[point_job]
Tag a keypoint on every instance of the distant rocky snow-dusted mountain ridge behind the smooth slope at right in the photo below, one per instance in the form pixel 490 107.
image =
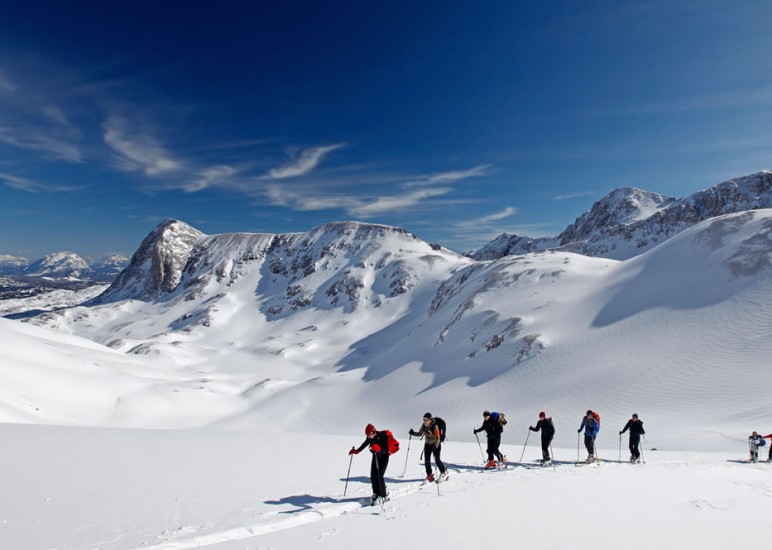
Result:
pixel 629 221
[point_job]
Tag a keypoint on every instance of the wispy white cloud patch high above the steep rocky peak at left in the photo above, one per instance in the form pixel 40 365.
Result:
pixel 138 152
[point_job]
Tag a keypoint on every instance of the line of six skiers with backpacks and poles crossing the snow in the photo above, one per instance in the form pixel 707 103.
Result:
pixel 432 430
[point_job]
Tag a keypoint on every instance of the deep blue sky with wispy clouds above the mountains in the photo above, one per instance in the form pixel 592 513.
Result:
pixel 455 120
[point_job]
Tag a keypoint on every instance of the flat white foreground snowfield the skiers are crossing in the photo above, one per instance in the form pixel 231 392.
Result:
pixel 76 488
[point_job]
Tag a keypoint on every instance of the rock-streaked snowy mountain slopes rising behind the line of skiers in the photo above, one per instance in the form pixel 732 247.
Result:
pixel 320 330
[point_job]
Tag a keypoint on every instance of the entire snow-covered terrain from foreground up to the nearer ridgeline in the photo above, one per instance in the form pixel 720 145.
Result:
pixel 219 414
